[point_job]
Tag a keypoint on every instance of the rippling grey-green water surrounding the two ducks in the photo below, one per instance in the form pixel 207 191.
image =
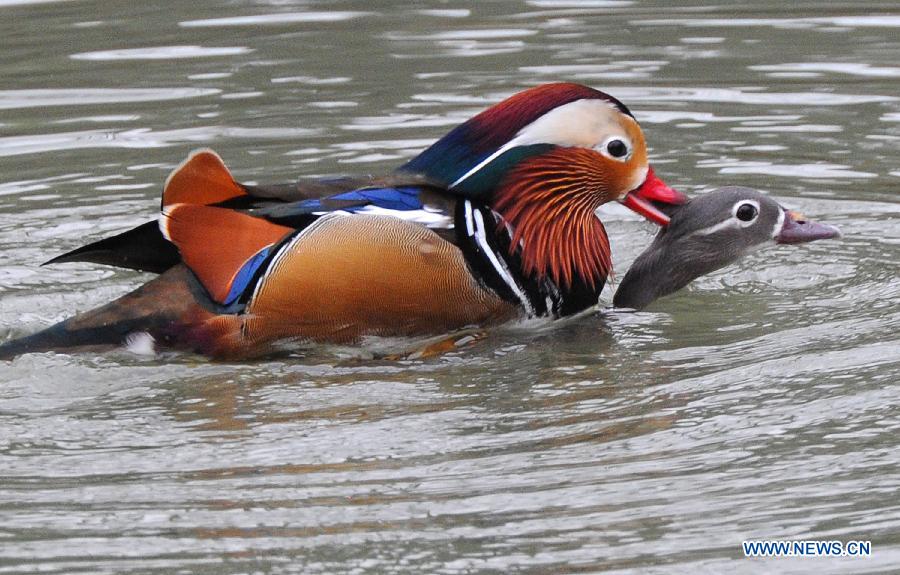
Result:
pixel 758 404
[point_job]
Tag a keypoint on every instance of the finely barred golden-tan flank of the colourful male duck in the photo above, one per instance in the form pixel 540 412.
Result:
pixel 347 276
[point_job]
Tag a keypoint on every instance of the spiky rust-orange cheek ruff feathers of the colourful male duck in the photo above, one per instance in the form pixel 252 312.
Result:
pixel 550 200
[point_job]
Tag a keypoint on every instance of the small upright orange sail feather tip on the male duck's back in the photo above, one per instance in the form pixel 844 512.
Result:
pixel 201 179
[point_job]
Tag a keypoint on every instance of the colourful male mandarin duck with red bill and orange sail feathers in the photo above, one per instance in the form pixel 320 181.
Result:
pixel 493 222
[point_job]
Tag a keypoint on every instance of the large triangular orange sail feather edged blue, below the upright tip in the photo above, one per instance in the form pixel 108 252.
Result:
pixel 216 242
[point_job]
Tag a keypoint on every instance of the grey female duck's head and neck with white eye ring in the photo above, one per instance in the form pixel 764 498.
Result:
pixel 707 233
